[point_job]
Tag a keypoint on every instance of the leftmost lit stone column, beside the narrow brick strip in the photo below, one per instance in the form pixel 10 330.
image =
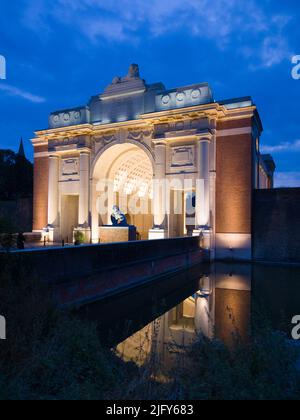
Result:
pixel 53 191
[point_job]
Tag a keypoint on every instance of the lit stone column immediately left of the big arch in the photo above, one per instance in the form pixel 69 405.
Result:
pixel 83 217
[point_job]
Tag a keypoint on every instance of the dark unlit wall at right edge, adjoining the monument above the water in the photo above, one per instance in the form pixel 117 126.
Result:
pixel 276 225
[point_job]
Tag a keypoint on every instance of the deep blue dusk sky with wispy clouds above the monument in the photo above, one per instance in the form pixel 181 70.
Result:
pixel 61 52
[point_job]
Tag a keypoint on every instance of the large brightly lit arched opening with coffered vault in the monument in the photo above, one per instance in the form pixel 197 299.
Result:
pixel 122 175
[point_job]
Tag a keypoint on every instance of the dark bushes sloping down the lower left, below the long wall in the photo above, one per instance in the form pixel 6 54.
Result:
pixel 49 354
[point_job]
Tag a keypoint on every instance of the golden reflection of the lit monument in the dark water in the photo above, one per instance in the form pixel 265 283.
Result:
pixel 221 309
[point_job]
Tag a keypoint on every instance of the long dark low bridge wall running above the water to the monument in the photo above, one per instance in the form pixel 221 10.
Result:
pixel 86 273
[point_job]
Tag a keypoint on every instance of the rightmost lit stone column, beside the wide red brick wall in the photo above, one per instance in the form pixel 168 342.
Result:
pixel 203 190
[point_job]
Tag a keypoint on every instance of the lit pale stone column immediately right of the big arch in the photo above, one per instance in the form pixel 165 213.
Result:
pixel 159 193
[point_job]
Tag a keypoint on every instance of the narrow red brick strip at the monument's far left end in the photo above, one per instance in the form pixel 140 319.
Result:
pixel 40 193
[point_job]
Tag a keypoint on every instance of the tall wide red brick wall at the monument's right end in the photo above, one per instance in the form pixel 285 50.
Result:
pixel 234 181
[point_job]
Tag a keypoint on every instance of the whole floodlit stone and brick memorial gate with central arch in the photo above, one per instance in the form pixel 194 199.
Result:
pixel 208 151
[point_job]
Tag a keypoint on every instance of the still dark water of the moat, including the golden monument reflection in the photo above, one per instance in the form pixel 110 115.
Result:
pixel 220 301
